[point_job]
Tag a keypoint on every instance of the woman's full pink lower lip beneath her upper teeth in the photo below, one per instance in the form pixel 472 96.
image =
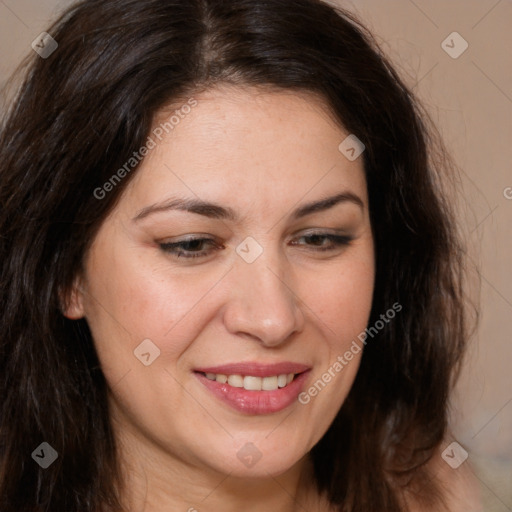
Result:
pixel 256 402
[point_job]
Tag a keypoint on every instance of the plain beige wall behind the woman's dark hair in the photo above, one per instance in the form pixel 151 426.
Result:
pixel 470 98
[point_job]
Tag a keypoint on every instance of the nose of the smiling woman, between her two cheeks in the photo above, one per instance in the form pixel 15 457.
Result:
pixel 263 304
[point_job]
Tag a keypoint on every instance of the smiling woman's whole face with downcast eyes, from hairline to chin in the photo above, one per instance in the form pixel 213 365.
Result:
pixel 267 292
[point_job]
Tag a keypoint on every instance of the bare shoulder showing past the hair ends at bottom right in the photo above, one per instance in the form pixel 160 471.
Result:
pixel 459 485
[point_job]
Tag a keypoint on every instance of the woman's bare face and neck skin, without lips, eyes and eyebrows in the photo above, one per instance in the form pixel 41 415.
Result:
pixel 263 154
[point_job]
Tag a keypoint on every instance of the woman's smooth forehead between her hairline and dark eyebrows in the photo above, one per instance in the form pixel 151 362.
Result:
pixel 248 145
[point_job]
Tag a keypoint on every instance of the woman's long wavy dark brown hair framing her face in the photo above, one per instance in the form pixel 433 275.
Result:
pixel 82 112
